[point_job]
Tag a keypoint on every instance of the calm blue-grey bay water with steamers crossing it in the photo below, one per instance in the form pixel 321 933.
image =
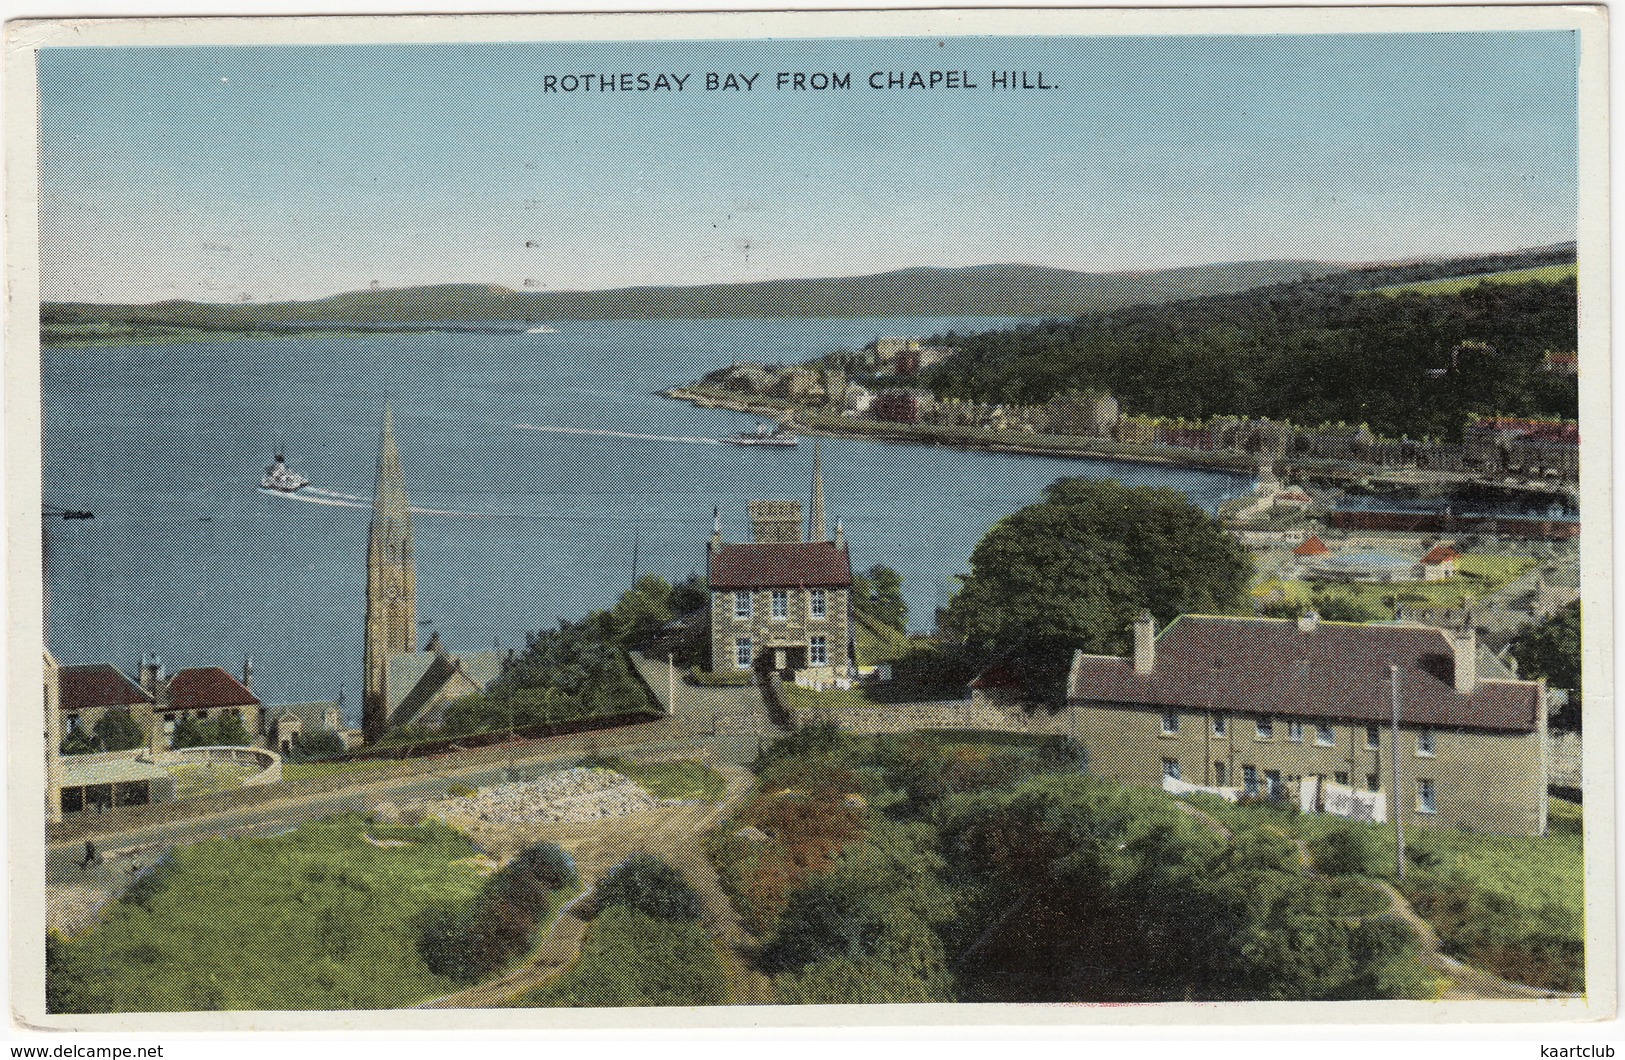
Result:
pixel 519 528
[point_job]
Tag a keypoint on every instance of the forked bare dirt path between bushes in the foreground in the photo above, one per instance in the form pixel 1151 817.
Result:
pixel 599 846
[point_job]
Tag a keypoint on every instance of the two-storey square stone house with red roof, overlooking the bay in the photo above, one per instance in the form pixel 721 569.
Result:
pixel 782 606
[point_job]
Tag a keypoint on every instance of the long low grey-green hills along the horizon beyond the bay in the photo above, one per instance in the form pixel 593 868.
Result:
pixel 971 292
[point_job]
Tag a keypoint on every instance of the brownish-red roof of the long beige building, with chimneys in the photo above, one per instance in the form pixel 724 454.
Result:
pixel 1338 671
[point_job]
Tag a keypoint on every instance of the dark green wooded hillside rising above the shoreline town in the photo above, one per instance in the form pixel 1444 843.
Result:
pixel 1319 350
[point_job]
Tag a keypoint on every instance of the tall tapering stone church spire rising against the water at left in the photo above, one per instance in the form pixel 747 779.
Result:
pixel 392 584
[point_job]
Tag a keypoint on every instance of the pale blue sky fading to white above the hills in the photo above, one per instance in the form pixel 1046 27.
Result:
pixel 280 173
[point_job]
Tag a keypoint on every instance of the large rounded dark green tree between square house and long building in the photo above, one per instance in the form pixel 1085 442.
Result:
pixel 1075 571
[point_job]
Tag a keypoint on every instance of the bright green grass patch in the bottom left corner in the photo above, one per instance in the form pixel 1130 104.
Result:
pixel 316 919
